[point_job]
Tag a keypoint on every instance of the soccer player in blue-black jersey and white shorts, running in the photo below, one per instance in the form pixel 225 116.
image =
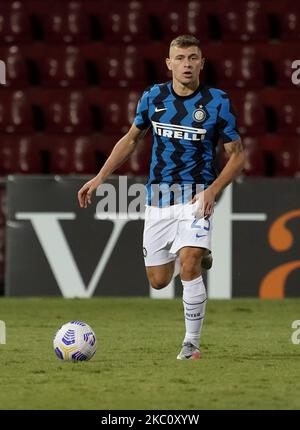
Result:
pixel 187 119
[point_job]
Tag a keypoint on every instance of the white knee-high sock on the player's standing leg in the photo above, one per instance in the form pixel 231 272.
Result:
pixel 194 302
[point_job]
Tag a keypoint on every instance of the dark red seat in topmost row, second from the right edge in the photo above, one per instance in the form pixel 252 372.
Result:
pixel 244 21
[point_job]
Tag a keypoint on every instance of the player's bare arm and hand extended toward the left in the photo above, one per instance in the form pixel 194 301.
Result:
pixel 120 153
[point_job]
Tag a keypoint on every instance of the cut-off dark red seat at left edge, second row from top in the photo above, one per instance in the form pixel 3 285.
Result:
pixel 16 69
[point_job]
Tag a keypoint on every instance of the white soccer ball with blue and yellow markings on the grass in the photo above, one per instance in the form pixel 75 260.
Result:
pixel 75 341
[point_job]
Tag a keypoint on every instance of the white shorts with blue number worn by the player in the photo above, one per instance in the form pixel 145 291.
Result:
pixel 169 229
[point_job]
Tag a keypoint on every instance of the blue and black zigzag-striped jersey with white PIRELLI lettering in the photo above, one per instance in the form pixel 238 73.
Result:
pixel 185 131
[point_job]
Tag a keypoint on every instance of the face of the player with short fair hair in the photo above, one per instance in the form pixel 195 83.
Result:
pixel 185 64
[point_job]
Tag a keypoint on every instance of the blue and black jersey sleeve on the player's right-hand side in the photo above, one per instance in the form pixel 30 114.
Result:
pixel 227 121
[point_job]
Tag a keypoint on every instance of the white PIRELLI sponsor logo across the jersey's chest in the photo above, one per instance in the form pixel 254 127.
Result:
pixel 178 131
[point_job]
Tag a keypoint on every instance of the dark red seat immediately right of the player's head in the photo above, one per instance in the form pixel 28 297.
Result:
pixel 237 66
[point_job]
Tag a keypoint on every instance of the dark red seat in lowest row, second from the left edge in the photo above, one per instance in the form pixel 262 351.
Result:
pixel 73 155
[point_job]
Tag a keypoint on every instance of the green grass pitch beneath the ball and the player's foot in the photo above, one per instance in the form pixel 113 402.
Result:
pixel 249 360
